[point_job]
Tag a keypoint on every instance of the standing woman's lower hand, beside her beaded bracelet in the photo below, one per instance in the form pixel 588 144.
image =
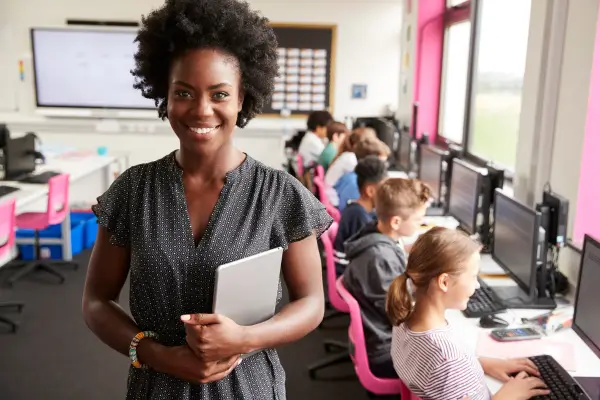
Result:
pixel 182 363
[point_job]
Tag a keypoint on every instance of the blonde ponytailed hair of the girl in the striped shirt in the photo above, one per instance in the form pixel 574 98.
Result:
pixel 437 251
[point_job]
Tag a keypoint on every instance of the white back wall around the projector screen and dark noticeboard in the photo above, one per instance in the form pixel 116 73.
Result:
pixel 368 42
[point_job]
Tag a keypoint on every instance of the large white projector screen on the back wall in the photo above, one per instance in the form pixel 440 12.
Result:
pixel 85 68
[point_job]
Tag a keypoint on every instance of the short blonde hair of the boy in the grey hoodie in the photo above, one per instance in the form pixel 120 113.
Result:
pixel 399 196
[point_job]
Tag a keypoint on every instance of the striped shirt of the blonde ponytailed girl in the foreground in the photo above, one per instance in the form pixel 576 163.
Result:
pixel 436 365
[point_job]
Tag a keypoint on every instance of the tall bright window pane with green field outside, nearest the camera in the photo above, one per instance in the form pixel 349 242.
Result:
pixel 498 80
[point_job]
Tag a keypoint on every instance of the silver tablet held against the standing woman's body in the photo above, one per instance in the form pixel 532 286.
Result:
pixel 246 289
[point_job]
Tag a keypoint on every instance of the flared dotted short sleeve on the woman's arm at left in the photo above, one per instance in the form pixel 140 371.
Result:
pixel 112 210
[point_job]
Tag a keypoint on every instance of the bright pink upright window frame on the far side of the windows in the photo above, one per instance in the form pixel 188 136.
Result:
pixel 432 20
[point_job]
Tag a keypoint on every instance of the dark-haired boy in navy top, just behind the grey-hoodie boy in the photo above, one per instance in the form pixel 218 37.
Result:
pixel 370 172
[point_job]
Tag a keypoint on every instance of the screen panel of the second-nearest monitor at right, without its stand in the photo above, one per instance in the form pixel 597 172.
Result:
pixel 516 232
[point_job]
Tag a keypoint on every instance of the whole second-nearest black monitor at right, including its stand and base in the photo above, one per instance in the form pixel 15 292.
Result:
pixel 519 246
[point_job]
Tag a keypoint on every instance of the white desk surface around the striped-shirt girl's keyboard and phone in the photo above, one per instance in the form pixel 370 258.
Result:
pixel 587 362
